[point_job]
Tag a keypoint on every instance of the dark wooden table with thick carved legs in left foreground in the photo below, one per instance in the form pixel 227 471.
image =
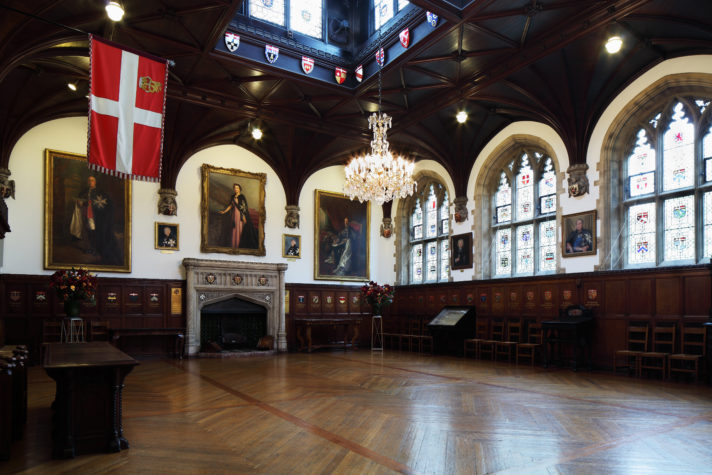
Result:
pixel 90 380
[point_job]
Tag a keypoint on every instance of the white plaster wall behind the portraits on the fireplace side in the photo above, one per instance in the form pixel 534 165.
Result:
pixel 24 245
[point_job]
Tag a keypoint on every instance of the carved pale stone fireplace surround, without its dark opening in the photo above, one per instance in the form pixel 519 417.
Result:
pixel 209 282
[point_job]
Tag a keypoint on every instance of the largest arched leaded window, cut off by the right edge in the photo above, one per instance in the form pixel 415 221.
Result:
pixel 666 207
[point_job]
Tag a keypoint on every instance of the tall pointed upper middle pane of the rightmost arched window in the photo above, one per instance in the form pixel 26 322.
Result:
pixel 679 152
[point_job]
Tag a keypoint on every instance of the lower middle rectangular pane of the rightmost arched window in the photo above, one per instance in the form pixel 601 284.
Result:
pixel 679 228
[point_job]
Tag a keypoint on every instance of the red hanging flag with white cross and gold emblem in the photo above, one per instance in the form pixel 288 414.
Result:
pixel 127 94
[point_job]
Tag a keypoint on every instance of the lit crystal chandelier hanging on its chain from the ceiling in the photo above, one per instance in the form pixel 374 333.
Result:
pixel 379 176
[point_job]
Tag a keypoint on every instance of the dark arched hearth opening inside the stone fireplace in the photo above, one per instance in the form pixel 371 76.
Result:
pixel 232 325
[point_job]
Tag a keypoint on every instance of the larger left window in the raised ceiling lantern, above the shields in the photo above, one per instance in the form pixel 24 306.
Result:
pixel 303 16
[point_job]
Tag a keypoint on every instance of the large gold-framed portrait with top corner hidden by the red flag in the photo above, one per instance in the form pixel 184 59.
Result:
pixel 87 216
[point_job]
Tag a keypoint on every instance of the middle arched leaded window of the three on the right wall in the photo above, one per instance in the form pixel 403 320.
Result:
pixel 524 217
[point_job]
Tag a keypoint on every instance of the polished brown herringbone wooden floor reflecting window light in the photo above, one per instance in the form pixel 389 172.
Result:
pixel 361 412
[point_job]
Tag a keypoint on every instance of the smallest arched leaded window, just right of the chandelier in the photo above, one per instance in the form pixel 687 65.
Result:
pixel 429 226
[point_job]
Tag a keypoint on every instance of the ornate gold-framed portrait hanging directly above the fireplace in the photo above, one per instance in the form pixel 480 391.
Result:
pixel 233 211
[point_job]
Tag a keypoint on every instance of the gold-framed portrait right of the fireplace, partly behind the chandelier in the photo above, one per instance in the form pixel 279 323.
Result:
pixel 341 237
